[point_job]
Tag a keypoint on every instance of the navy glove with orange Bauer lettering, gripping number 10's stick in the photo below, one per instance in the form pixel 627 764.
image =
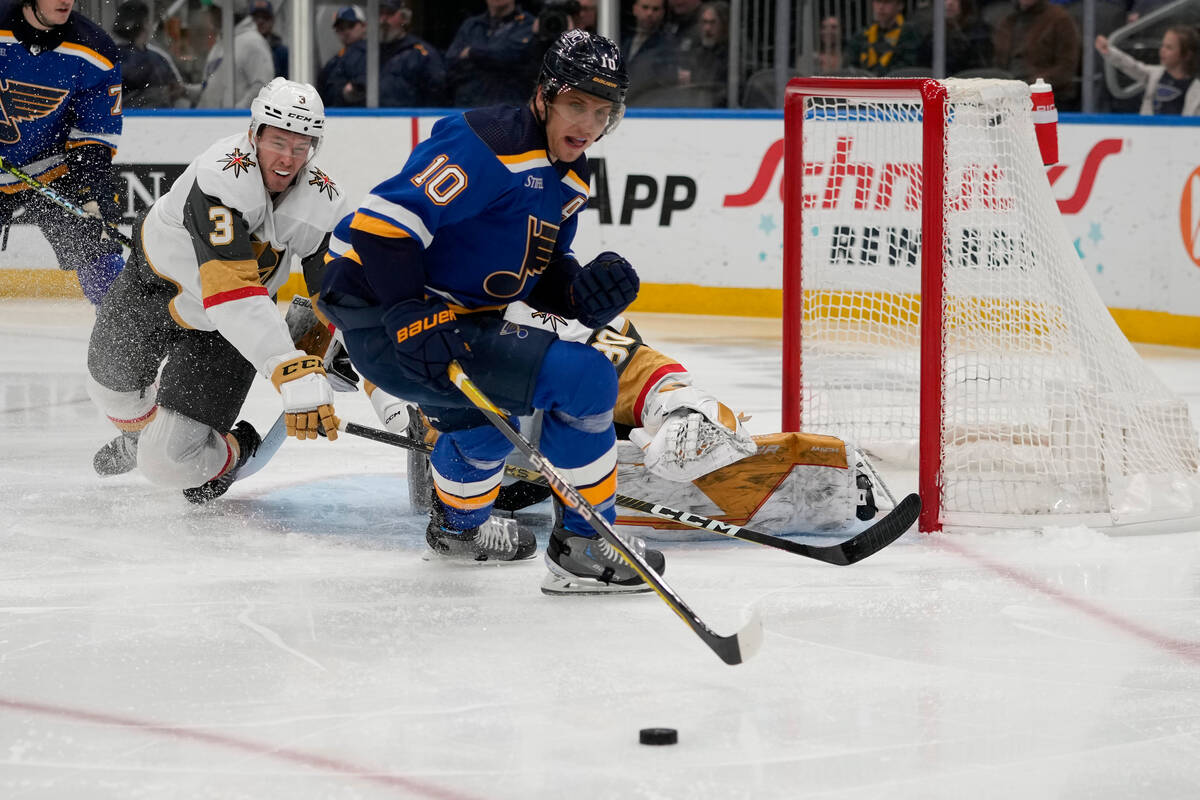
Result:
pixel 427 339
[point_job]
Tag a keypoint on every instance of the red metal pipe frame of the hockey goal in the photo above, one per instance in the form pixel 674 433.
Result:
pixel 933 98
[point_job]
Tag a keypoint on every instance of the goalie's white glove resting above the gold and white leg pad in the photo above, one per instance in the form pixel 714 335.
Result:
pixel 688 434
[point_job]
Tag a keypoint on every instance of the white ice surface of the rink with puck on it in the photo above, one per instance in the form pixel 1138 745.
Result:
pixel 289 641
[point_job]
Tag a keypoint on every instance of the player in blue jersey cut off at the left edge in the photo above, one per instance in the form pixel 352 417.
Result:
pixel 61 122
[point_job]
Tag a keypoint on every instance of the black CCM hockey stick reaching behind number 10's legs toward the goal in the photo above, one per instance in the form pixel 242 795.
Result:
pixel 883 532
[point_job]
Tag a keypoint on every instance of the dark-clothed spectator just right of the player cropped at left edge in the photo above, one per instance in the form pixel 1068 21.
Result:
pixel 149 79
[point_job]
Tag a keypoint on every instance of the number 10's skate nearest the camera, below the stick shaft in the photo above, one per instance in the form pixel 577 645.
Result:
pixel 592 567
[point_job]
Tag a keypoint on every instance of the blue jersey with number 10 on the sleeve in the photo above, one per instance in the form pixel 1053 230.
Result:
pixel 476 218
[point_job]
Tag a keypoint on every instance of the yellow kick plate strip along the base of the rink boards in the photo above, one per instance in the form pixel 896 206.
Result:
pixel 1148 327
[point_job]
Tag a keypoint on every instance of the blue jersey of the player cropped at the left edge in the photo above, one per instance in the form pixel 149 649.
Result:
pixel 61 99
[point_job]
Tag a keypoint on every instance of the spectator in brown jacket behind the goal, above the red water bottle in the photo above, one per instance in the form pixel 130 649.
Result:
pixel 1040 40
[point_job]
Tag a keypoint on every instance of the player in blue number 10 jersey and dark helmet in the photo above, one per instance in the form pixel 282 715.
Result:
pixel 484 214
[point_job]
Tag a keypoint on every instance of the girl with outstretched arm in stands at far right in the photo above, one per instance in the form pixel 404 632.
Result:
pixel 1171 86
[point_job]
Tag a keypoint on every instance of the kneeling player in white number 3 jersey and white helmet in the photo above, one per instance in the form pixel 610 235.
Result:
pixel 197 302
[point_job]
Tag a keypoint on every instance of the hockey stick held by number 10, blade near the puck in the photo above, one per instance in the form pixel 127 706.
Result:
pixel 731 649
